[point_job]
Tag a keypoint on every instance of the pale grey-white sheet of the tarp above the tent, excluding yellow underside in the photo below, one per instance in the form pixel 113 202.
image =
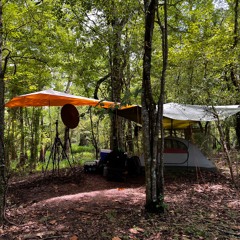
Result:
pixel 198 112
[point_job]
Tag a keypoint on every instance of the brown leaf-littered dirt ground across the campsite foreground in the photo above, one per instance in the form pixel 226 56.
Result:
pixel 79 206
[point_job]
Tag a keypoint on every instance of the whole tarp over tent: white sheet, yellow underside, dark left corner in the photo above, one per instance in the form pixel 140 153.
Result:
pixel 177 116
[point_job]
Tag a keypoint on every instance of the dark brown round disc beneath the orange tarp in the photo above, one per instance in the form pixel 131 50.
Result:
pixel 70 116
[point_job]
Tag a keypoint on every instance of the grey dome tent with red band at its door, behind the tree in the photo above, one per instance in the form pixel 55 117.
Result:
pixel 179 152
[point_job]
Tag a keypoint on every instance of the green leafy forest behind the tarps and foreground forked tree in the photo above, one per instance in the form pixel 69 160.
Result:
pixel 96 49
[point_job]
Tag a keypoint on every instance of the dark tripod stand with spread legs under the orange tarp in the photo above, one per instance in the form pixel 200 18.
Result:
pixel 57 153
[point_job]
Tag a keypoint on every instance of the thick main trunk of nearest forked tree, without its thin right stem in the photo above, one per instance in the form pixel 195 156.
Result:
pixel 149 117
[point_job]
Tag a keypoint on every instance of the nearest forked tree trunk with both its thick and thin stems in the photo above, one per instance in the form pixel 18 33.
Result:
pixel 151 116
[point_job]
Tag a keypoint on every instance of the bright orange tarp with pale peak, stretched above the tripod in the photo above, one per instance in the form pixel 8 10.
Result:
pixel 55 98
